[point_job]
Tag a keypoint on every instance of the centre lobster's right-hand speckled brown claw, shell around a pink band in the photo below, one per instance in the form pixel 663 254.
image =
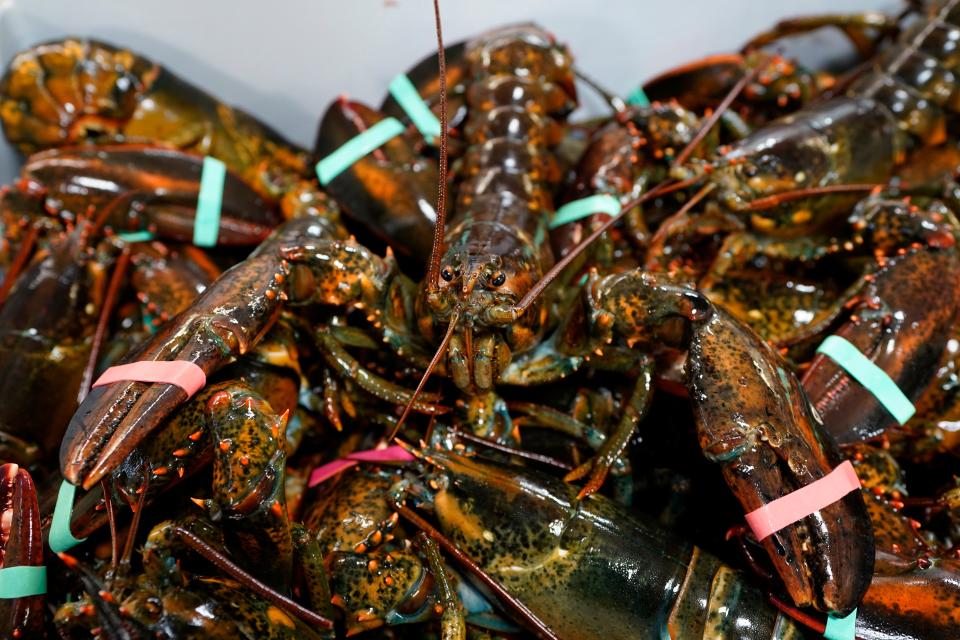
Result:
pixel 755 420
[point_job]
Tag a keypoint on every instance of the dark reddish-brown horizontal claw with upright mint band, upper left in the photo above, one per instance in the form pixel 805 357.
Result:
pixel 163 182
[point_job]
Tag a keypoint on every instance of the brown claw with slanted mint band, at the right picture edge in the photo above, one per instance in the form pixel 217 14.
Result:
pixel 903 327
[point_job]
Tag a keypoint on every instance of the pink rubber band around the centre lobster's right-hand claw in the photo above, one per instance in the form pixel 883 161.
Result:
pixel 799 504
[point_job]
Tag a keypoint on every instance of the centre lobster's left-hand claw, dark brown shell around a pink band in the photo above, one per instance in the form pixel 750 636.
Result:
pixel 223 323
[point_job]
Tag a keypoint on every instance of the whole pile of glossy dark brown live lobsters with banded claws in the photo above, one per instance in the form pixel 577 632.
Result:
pixel 327 436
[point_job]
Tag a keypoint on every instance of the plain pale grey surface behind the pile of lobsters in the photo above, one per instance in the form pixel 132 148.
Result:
pixel 285 60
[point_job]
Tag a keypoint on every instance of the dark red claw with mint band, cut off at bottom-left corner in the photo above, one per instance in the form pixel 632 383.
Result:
pixel 21 545
